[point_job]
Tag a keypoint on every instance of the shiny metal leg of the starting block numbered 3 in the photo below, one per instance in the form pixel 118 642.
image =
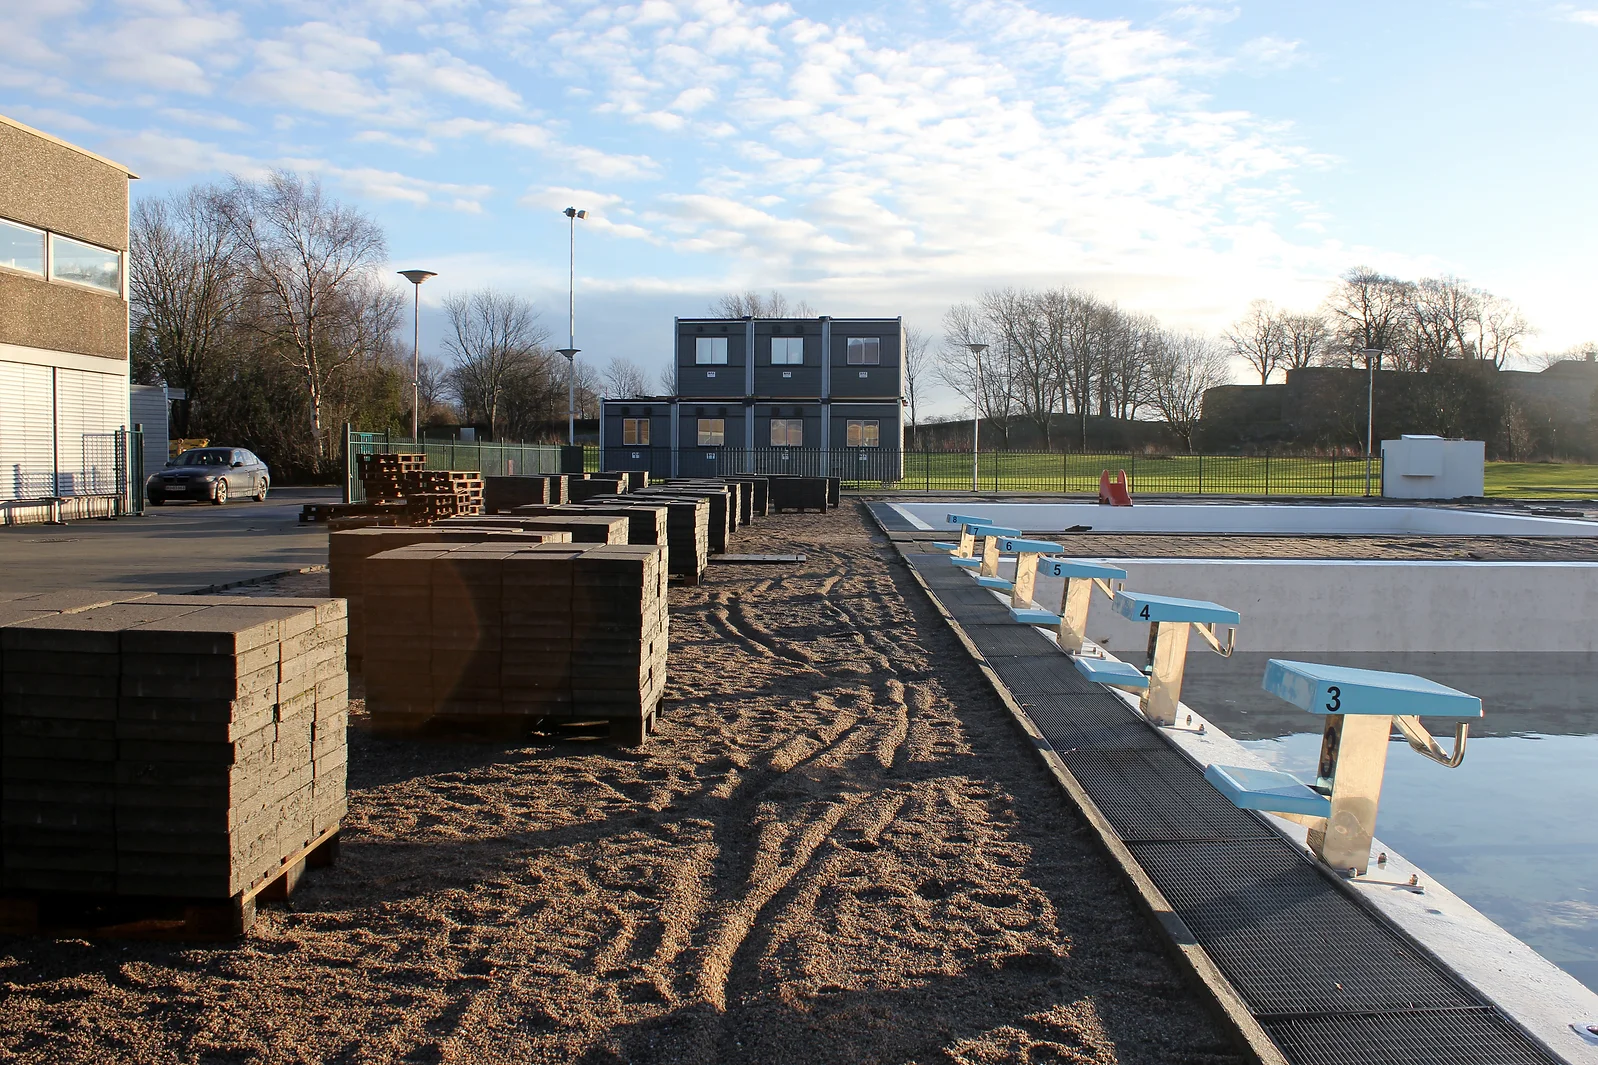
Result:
pixel 1353 762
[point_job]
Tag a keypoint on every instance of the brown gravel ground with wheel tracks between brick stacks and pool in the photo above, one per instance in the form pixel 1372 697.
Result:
pixel 837 850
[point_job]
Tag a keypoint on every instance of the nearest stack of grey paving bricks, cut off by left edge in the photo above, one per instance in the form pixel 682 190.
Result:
pixel 178 748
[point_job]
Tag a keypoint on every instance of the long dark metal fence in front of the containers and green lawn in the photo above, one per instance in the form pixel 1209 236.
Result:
pixel 1017 471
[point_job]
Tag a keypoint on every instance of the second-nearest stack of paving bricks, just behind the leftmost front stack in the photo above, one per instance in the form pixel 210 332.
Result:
pixel 483 632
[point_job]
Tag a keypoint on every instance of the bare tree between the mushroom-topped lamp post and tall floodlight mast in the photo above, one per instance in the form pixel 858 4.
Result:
pixel 495 340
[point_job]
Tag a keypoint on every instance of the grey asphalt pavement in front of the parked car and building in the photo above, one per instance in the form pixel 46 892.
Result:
pixel 178 548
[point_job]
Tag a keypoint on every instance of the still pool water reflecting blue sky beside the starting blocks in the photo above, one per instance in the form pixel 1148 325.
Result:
pixel 1514 831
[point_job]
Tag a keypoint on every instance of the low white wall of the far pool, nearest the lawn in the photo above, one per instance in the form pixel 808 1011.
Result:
pixel 1250 519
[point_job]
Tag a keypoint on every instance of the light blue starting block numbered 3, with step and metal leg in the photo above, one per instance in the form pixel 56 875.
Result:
pixel 1361 709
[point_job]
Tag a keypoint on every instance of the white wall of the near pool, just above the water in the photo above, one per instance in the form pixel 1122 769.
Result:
pixel 1364 605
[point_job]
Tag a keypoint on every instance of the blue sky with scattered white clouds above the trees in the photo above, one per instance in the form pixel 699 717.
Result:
pixel 873 159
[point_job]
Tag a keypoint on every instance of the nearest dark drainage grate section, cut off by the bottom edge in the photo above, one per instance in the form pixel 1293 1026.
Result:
pixel 1466 1037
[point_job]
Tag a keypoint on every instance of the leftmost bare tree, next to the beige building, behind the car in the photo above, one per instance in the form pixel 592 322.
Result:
pixel 185 287
